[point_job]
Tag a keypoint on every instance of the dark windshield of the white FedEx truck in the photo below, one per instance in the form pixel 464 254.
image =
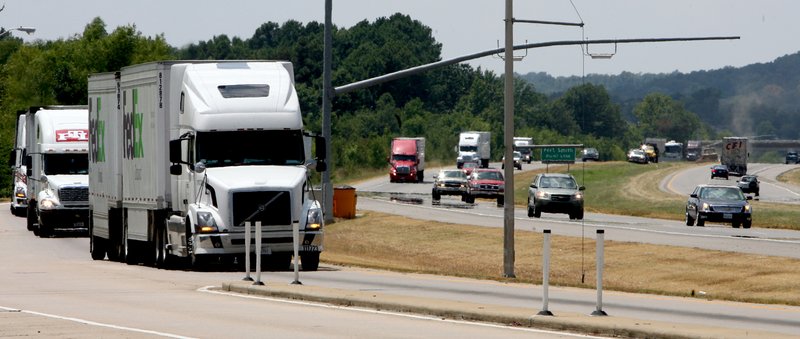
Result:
pixel 237 148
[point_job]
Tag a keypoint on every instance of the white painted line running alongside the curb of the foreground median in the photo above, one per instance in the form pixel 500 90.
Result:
pixel 207 289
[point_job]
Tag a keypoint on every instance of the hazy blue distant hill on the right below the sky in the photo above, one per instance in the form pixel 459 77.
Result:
pixel 728 99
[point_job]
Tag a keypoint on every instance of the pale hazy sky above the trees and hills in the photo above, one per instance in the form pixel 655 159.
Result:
pixel 767 29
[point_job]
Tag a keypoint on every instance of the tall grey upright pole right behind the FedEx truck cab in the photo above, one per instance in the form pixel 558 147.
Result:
pixel 327 96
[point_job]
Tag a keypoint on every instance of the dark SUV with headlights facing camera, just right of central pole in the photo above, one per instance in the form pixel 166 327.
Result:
pixel 555 193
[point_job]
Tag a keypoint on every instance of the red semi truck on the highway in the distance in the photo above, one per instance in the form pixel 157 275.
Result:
pixel 407 160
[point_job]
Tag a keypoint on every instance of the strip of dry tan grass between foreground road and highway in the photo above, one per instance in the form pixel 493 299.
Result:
pixel 403 244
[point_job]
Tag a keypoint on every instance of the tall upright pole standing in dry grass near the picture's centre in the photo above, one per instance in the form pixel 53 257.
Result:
pixel 508 142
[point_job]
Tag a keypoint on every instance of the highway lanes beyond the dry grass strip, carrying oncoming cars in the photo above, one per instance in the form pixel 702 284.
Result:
pixel 379 194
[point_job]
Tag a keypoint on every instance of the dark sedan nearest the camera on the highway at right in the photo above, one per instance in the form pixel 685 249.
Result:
pixel 717 203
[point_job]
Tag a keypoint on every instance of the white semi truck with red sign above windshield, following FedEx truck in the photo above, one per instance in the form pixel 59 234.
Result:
pixel 57 169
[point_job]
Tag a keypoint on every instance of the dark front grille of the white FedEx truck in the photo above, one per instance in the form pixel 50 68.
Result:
pixel 253 206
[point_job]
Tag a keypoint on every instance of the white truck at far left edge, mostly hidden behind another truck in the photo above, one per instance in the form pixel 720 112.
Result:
pixel 19 175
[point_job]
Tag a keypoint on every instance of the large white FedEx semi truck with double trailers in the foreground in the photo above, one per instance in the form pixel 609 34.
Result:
pixel 187 155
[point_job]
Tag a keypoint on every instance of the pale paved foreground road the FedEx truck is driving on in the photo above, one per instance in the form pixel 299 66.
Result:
pixel 55 279
